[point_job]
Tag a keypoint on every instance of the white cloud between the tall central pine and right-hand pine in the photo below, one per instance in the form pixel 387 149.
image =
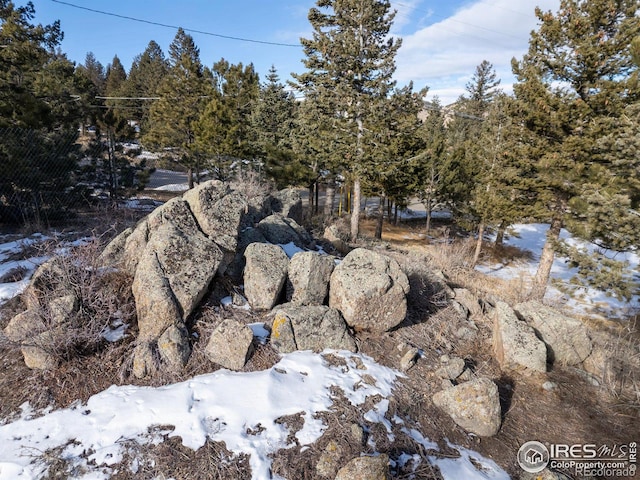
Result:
pixel 443 56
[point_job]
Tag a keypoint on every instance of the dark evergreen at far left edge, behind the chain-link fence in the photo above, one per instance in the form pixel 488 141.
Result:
pixel 39 113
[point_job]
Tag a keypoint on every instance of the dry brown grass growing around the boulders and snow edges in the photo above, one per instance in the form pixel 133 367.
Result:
pixel 575 412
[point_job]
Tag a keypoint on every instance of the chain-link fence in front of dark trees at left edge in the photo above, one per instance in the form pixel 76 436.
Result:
pixel 48 178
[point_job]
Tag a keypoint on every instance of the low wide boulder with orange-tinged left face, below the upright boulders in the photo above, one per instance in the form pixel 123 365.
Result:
pixel 297 327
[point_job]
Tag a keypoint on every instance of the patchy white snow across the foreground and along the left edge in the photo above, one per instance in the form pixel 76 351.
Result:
pixel 239 409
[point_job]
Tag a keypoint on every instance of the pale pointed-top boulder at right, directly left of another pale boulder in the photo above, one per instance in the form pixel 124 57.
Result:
pixel 515 343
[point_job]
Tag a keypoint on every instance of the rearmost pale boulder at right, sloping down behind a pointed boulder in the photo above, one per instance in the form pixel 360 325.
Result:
pixel 567 339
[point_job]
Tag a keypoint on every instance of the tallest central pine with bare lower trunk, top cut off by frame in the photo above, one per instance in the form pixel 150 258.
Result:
pixel 350 60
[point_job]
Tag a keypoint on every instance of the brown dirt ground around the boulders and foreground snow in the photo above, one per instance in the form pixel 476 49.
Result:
pixel 573 412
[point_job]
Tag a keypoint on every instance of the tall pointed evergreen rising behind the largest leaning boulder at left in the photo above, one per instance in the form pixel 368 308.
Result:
pixel 183 95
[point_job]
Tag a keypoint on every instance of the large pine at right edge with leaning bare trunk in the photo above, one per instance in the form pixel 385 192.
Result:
pixel 574 84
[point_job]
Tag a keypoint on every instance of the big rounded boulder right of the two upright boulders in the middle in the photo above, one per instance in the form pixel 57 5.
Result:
pixel 370 290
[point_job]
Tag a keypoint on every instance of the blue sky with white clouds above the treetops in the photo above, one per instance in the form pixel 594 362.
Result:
pixel 443 41
